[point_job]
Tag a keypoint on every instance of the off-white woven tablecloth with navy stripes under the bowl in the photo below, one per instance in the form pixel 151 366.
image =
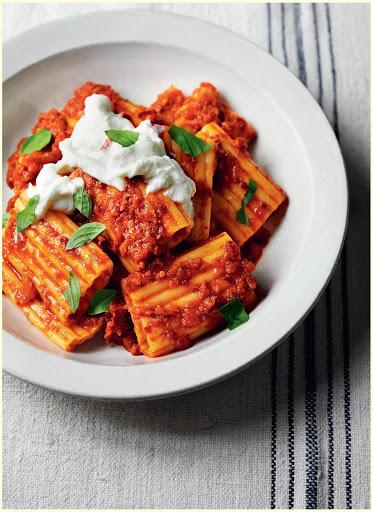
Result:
pixel 290 432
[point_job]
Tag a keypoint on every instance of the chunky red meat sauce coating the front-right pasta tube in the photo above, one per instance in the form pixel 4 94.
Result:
pixel 232 279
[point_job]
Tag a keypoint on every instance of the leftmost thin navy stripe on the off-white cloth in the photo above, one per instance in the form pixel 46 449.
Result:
pixel 274 353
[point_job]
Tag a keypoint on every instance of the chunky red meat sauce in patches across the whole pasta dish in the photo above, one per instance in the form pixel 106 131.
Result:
pixel 137 223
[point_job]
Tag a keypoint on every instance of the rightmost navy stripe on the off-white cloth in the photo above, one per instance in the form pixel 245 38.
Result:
pixel 345 301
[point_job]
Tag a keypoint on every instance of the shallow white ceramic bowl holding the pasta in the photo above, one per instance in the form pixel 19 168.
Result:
pixel 142 54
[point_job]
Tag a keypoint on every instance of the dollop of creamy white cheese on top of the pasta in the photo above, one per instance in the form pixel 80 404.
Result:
pixel 90 149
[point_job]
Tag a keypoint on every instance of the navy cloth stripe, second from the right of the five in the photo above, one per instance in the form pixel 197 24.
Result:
pixel 328 304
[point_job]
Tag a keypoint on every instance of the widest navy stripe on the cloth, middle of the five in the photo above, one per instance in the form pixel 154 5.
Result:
pixel 309 343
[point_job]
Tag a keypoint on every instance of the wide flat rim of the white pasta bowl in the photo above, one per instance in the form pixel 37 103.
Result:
pixel 213 363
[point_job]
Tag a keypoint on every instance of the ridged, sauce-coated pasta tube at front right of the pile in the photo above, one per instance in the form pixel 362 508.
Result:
pixel 172 307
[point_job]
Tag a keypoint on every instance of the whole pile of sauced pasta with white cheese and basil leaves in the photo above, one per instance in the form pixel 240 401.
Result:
pixel 143 222
